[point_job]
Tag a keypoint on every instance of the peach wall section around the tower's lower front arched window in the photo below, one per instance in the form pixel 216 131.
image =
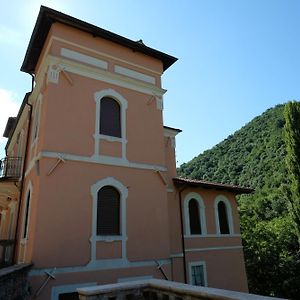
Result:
pixel 66 196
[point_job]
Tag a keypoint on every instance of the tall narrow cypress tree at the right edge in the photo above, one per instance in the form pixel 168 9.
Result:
pixel 292 139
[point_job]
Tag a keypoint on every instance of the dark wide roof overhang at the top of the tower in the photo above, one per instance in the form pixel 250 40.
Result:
pixel 48 16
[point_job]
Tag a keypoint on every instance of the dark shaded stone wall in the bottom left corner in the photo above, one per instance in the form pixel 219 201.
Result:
pixel 13 282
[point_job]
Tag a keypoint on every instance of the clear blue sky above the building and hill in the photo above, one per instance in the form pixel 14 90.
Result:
pixel 236 58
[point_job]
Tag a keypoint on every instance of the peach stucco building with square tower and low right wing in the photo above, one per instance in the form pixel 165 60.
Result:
pixel 88 190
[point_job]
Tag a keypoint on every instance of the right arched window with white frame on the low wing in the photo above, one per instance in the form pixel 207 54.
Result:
pixel 223 213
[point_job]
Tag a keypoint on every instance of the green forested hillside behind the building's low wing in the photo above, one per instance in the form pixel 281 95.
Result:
pixel 255 156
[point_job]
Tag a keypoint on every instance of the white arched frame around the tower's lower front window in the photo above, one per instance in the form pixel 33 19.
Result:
pixel 122 189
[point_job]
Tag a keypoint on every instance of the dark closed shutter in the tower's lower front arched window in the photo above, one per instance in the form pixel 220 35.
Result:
pixel 108 211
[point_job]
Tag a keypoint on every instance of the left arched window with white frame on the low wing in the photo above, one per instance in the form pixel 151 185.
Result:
pixel 194 214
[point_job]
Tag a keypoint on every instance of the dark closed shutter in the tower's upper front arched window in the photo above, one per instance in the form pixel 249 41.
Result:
pixel 110 119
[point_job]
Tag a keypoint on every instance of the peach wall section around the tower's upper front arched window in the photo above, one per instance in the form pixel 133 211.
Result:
pixel 69 128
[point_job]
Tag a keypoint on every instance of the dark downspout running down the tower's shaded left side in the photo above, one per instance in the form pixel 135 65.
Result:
pixel 23 171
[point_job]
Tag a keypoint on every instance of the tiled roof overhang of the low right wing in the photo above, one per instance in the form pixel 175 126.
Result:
pixel 180 182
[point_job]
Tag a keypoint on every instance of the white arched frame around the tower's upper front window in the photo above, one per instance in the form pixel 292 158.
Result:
pixel 98 96
